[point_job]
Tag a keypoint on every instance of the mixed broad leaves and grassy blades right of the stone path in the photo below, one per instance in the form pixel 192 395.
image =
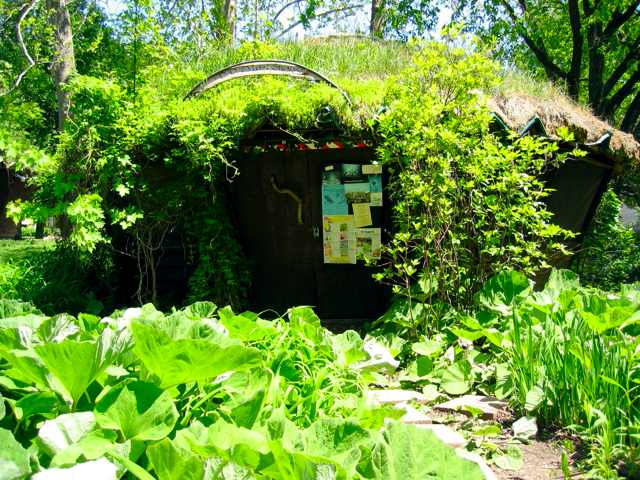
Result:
pixel 567 355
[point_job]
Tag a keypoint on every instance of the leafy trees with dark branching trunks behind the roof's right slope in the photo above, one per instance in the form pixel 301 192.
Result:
pixel 590 46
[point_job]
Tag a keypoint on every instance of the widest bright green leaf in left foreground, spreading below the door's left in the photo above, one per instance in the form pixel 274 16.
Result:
pixel 188 360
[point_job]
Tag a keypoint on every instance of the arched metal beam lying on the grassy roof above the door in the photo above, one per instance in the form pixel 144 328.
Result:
pixel 262 67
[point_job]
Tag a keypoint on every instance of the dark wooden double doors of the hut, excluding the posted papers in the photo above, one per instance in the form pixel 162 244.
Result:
pixel 286 251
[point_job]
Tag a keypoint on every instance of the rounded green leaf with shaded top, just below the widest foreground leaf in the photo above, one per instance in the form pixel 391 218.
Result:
pixel 140 410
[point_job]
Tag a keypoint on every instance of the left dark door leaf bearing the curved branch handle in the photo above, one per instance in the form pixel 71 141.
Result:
pixel 278 243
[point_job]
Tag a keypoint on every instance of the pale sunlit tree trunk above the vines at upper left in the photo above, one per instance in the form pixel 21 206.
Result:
pixel 64 61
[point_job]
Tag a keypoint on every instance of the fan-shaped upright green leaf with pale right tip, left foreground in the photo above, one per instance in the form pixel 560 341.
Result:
pixel 63 360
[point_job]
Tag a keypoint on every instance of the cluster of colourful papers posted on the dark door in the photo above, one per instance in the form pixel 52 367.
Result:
pixel 351 212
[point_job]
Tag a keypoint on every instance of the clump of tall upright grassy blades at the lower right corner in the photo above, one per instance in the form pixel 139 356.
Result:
pixel 574 356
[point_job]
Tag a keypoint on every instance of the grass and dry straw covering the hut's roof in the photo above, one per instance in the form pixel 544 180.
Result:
pixel 361 67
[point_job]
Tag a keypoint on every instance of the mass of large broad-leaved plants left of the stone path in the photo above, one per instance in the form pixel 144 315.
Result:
pixel 199 393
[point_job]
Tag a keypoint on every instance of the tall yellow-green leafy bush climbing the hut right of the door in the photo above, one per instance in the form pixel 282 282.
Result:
pixel 466 203
